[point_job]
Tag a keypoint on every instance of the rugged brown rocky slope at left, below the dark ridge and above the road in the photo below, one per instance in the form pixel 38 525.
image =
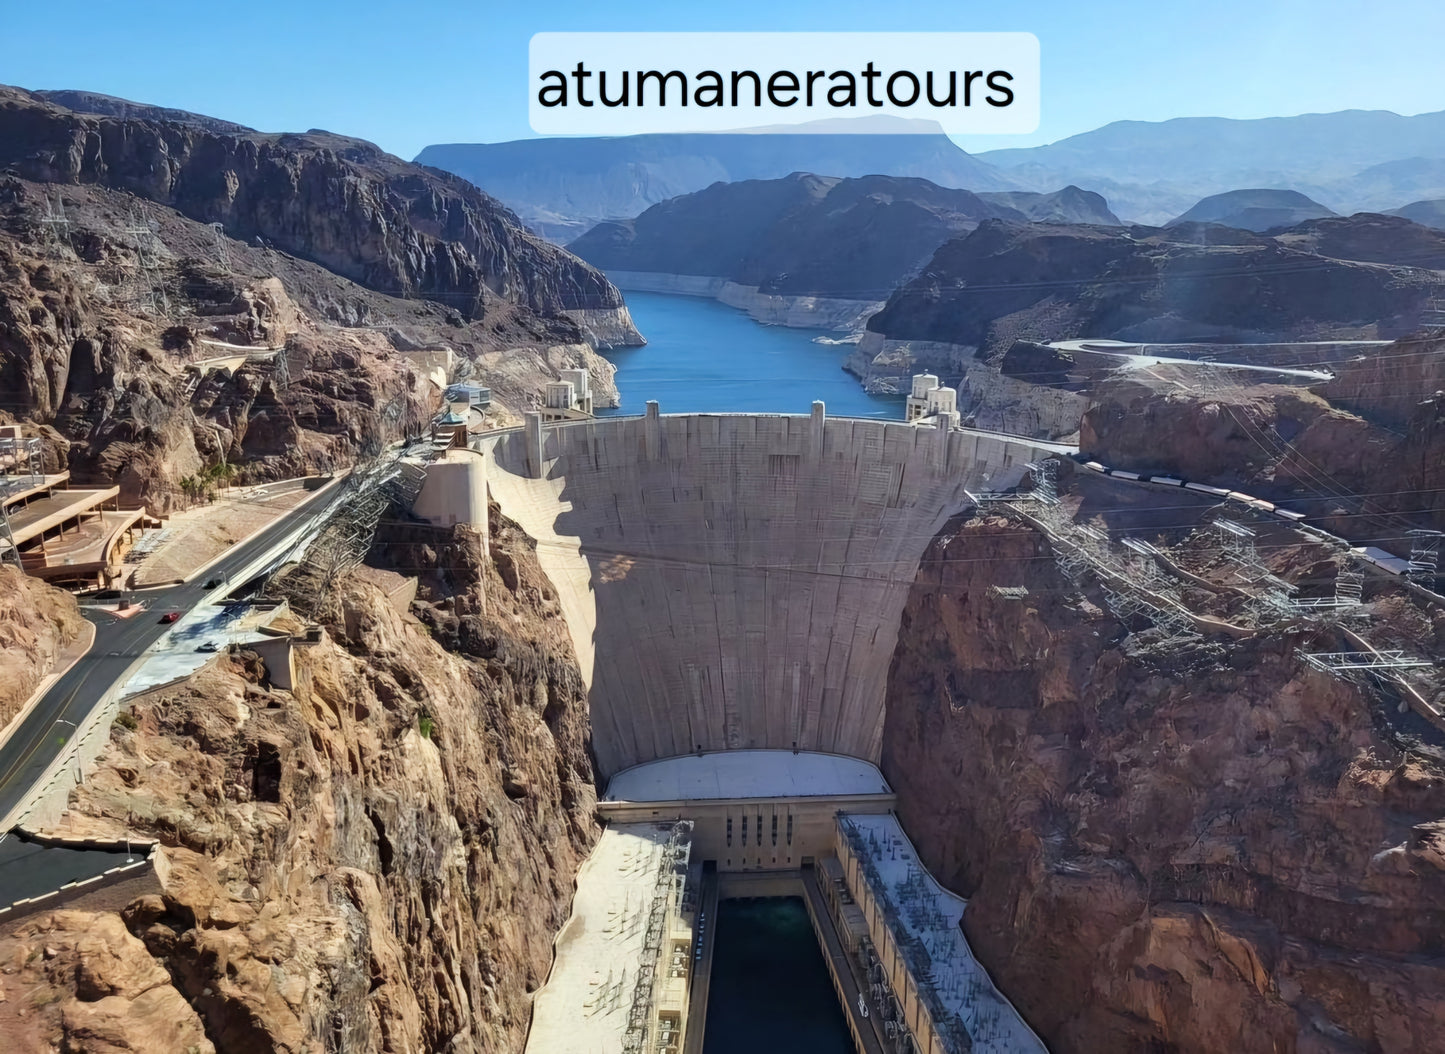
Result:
pixel 112 307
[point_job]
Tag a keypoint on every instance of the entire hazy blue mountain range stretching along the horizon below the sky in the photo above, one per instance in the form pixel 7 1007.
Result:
pixel 1149 171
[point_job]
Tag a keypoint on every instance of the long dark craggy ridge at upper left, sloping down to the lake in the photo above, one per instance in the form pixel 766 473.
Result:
pixel 342 203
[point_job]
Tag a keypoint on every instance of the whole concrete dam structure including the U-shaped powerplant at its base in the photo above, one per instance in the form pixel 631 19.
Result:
pixel 733 588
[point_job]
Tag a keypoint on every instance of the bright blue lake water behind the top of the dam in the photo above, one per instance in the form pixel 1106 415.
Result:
pixel 704 356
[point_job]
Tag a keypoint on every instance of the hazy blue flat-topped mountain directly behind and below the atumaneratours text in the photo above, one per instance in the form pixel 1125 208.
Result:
pixel 563 187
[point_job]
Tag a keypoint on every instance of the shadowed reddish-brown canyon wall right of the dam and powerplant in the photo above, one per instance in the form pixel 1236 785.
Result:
pixel 1165 849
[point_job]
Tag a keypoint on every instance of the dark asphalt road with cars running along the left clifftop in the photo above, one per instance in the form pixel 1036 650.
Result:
pixel 119 643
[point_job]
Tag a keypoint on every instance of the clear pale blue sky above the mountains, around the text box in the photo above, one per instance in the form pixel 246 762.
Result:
pixel 405 76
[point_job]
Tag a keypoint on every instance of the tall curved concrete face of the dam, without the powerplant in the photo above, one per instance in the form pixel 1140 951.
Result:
pixel 736 582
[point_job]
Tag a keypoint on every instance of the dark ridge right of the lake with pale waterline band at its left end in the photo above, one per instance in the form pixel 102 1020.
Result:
pixel 1006 283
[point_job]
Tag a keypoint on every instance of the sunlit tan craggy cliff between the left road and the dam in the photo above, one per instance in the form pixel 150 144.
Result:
pixel 375 862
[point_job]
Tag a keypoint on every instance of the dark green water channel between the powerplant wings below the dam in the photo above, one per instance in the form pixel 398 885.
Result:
pixel 771 988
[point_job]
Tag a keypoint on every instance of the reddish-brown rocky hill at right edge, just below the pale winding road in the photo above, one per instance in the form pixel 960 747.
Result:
pixel 1358 450
